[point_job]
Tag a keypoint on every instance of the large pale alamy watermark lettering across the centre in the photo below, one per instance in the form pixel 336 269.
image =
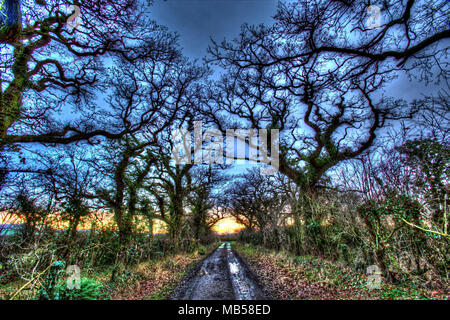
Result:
pixel 241 145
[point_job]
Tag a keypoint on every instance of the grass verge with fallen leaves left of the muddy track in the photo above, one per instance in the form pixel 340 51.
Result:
pixel 150 280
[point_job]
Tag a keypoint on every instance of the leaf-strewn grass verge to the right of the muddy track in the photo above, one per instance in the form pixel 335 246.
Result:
pixel 290 277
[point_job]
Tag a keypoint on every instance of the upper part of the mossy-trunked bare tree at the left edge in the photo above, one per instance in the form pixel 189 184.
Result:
pixel 49 68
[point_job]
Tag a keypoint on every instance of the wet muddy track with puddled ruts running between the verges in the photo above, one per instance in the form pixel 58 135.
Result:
pixel 223 275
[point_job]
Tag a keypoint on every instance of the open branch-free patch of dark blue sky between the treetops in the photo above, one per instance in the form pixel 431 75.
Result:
pixel 198 20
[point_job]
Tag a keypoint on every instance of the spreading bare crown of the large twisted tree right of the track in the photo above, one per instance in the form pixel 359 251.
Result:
pixel 317 75
